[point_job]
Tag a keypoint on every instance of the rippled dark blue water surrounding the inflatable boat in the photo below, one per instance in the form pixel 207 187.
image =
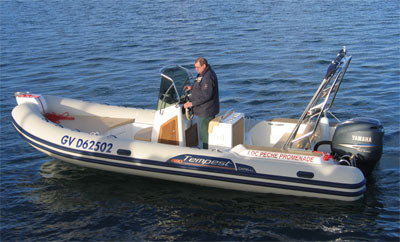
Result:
pixel 270 57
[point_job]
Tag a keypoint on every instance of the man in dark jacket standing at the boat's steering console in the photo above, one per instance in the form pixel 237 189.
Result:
pixel 205 97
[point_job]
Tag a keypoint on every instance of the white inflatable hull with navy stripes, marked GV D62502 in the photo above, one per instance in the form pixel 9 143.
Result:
pixel 107 143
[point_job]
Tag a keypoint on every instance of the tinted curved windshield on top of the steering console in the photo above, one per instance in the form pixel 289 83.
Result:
pixel 173 81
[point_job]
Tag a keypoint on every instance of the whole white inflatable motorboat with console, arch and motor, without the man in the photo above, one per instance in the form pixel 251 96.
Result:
pixel 314 156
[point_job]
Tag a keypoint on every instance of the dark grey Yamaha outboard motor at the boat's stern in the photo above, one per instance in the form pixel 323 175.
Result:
pixel 358 142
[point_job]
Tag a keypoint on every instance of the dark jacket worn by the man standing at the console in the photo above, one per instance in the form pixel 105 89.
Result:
pixel 205 97
